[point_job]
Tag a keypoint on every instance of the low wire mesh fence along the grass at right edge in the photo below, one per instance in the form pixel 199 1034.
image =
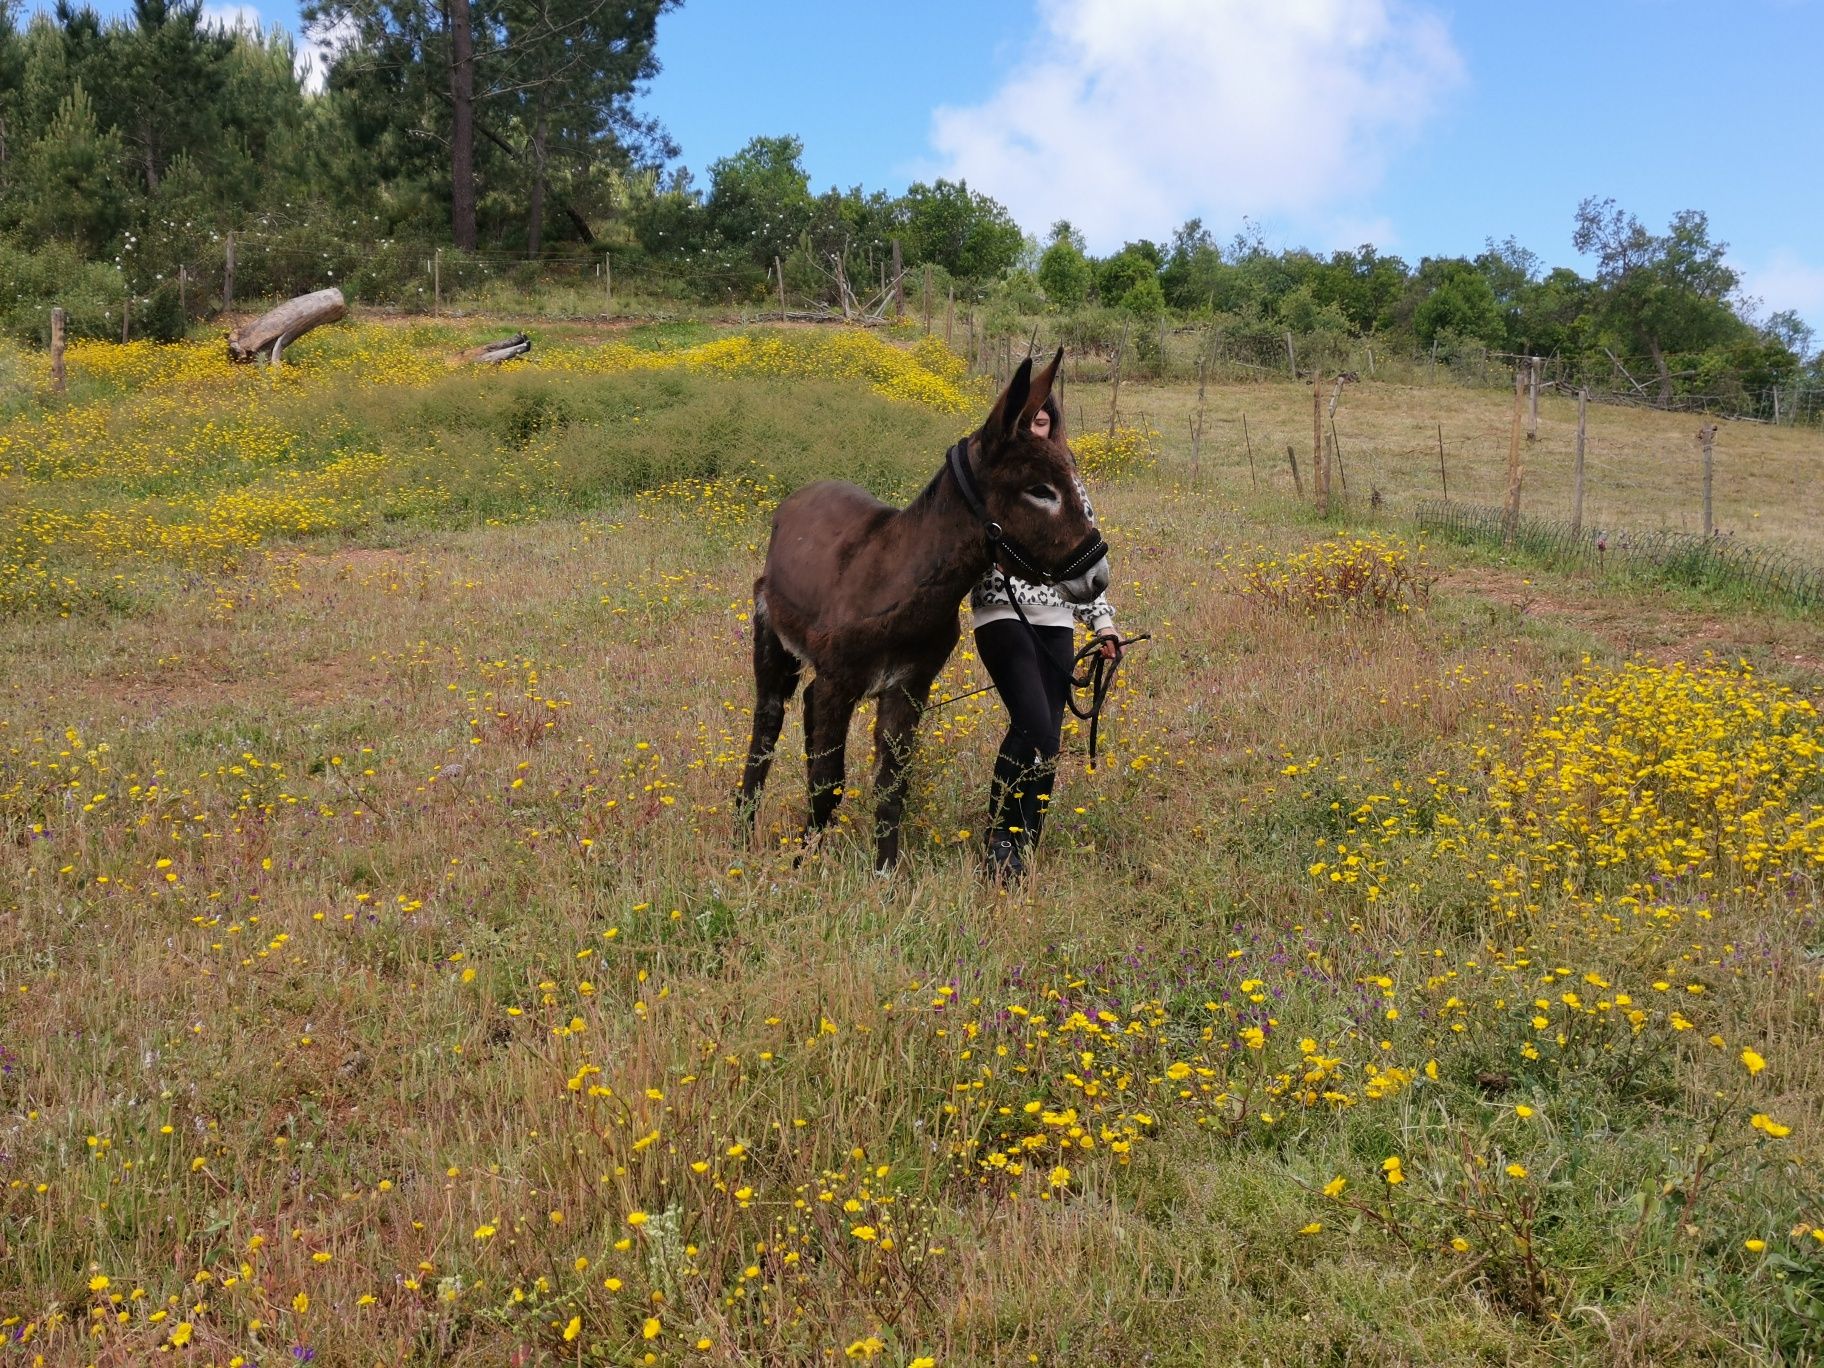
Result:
pixel 1683 557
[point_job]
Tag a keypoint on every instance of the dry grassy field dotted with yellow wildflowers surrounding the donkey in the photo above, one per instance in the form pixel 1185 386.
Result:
pixel 380 980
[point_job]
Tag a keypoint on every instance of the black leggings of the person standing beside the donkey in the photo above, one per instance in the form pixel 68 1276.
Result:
pixel 1033 692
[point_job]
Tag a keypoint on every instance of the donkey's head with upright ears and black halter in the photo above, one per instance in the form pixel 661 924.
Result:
pixel 1030 492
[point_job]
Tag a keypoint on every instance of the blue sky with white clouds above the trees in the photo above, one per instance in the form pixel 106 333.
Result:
pixel 1418 125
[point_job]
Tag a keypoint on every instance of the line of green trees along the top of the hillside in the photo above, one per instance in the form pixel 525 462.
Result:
pixel 512 129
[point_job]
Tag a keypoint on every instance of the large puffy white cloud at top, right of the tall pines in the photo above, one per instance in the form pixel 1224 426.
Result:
pixel 1132 116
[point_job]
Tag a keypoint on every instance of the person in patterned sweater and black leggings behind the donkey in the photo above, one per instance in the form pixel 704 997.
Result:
pixel 1031 670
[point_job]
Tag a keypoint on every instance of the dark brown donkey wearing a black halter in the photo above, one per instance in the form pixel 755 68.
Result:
pixel 867 596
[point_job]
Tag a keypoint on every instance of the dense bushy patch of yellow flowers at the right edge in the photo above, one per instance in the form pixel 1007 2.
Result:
pixel 1648 785
